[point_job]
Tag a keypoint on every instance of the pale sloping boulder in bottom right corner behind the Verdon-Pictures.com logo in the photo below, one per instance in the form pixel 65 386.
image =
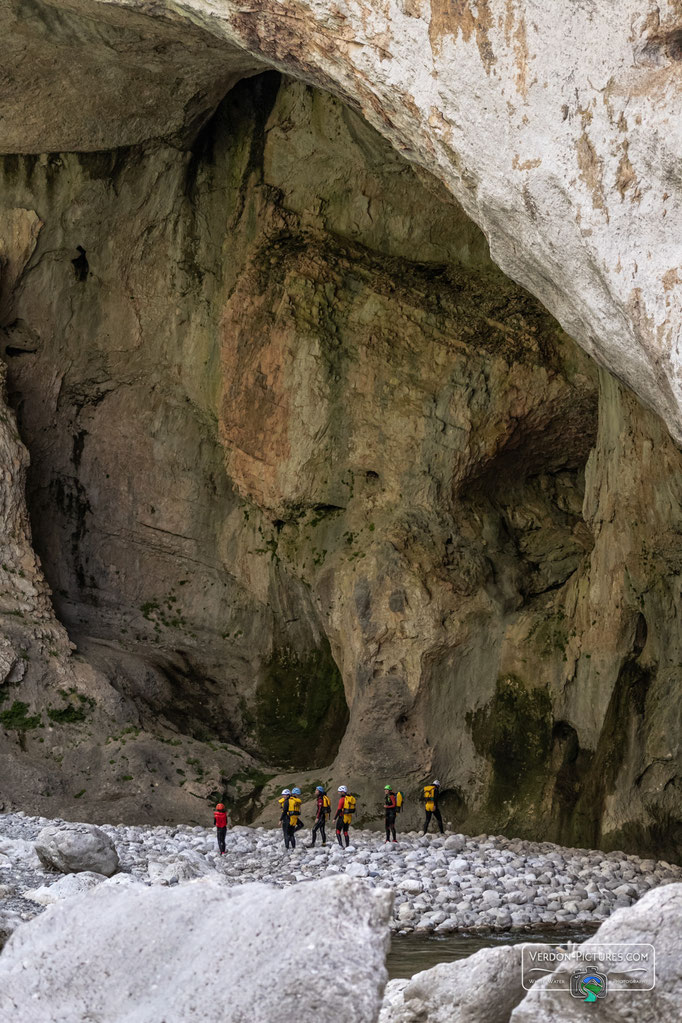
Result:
pixel 656 920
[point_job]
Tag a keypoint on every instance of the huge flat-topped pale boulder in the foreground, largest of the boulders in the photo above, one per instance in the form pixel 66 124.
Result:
pixel 201 952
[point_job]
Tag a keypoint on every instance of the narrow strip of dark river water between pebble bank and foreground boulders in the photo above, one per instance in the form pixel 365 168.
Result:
pixel 411 954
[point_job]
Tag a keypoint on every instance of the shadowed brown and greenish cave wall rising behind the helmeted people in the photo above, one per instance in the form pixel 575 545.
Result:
pixel 315 486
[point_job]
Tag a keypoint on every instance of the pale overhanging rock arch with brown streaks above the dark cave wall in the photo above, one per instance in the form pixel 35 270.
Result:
pixel 556 129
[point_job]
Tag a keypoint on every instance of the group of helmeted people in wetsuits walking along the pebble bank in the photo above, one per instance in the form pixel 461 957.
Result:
pixel 291 802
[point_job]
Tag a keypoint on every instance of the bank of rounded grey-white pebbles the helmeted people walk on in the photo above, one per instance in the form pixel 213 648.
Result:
pixel 443 884
